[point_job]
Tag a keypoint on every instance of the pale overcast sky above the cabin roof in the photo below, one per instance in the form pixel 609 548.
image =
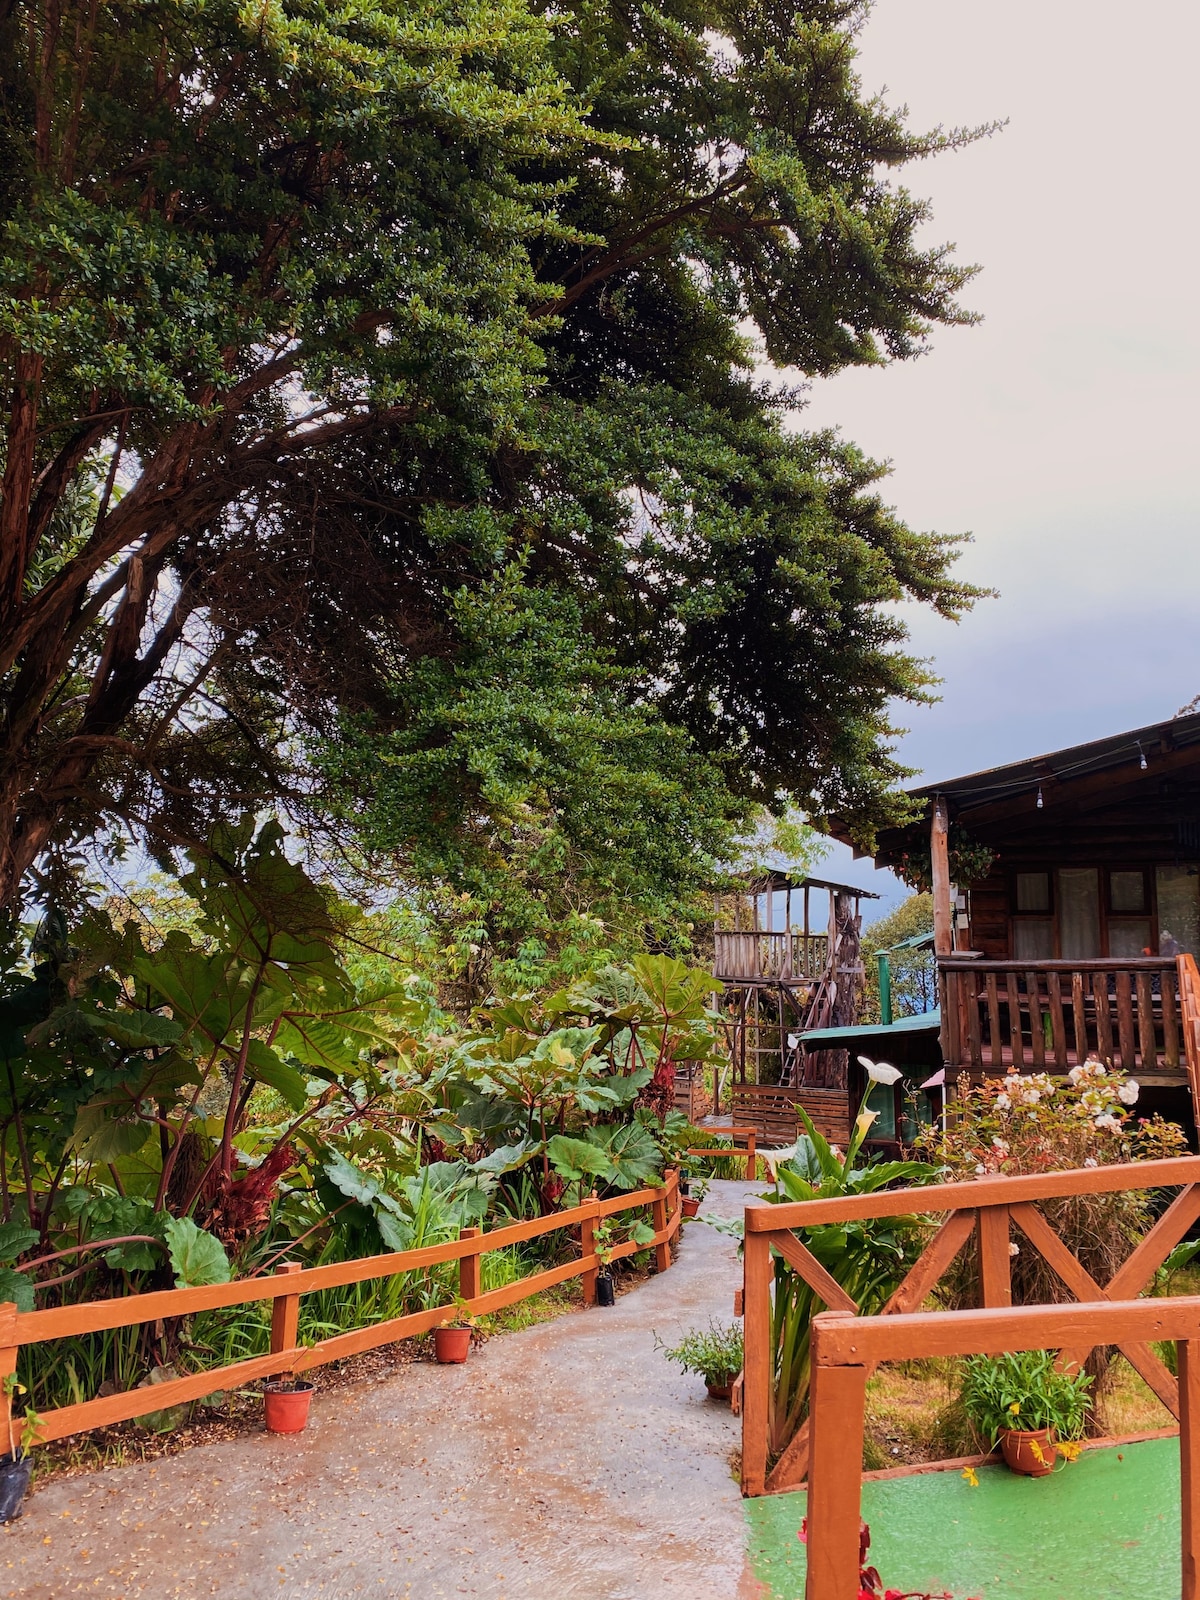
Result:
pixel 1063 430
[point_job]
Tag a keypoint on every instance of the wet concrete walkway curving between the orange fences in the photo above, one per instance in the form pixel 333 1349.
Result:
pixel 566 1463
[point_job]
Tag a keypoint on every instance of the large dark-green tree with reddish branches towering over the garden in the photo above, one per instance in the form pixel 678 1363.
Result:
pixel 314 321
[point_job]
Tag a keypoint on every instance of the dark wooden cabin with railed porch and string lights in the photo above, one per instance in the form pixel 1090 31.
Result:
pixel 1066 887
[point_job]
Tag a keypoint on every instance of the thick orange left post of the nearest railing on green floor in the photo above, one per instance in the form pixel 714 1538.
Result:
pixel 834 1478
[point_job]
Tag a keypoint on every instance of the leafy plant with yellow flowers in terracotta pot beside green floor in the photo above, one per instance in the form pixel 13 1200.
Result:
pixel 1034 1412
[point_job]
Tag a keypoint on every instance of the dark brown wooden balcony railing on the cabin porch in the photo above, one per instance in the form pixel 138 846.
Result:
pixel 1047 1017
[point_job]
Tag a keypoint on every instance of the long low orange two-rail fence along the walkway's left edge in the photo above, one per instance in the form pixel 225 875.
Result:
pixel 292 1281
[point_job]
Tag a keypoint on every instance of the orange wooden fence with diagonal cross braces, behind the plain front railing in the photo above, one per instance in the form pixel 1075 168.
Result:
pixel 985 1209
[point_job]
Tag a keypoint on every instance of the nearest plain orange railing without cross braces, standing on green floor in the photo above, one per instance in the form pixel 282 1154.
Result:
pixel 847 1350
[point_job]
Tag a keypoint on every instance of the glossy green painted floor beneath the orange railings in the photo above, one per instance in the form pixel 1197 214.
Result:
pixel 1103 1529
